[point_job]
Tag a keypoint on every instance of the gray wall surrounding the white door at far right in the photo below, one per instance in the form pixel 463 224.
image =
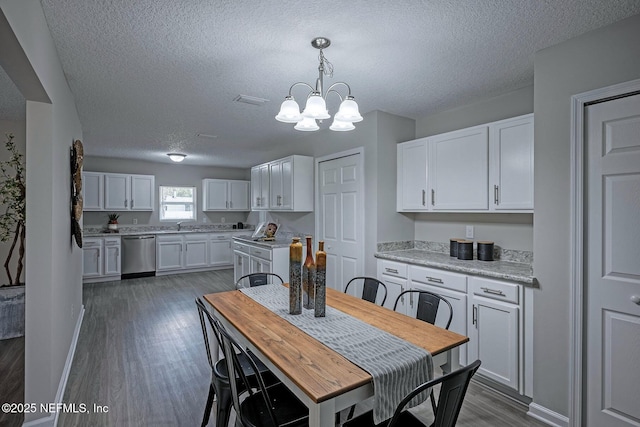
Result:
pixel 597 59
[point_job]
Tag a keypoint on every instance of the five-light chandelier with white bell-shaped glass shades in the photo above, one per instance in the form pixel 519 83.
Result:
pixel 316 106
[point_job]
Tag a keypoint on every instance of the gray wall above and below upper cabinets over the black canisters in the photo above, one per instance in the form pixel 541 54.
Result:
pixel 511 231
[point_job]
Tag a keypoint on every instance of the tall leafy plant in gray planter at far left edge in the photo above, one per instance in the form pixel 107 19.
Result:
pixel 12 228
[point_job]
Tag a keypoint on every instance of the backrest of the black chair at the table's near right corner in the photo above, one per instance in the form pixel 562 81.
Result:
pixel 452 391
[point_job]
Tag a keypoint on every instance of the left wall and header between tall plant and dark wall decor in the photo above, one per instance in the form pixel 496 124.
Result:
pixel 54 288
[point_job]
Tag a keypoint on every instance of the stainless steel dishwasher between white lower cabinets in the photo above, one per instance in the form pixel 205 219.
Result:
pixel 138 256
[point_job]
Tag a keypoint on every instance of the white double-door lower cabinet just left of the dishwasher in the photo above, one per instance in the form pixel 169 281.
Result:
pixel 100 259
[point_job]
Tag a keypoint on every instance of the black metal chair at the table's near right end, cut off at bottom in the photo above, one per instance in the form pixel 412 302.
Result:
pixel 452 391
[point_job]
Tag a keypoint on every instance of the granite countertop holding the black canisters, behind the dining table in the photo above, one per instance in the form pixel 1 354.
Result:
pixel 504 270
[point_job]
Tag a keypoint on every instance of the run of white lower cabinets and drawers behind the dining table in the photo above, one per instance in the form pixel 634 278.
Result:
pixel 490 312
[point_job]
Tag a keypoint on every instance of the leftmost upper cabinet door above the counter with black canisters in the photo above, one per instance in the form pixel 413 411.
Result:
pixel 412 176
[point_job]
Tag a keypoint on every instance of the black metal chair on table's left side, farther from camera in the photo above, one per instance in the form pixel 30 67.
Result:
pixel 220 385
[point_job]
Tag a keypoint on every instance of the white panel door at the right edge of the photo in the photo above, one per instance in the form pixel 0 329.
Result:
pixel 613 268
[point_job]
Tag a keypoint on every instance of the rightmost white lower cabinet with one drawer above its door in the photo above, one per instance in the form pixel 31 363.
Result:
pixel 494 331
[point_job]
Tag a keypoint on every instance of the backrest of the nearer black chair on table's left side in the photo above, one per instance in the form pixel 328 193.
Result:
pixel 231 350
